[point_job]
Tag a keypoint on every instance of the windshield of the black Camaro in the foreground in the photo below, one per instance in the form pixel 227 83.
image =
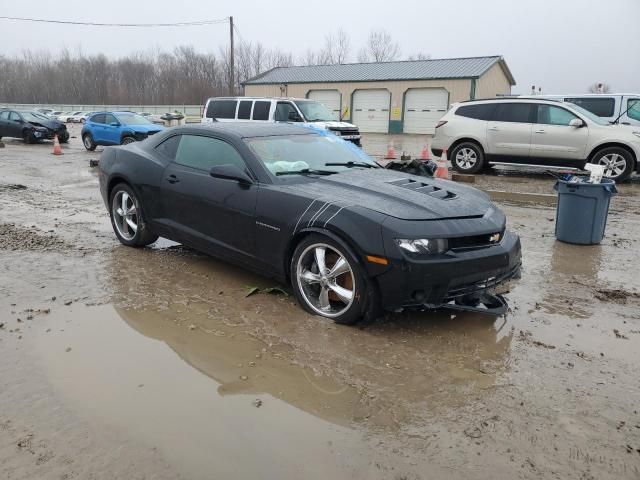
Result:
pixel 294 153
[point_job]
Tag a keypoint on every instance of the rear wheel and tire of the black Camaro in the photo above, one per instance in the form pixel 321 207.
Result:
pixel 127 218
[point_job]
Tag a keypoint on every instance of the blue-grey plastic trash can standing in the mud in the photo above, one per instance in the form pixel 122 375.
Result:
pixel 581 215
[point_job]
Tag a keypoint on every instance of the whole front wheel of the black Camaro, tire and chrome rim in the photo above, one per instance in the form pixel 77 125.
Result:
pixel 328 280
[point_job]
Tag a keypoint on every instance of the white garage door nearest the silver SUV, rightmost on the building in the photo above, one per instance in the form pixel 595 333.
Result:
pixel 423 107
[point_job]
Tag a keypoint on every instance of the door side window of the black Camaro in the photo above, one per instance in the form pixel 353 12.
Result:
pixel 203 153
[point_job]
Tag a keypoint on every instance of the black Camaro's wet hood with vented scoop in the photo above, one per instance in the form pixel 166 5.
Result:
pixel 397 194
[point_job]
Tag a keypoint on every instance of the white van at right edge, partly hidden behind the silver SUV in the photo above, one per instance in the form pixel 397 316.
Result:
pixel 622 108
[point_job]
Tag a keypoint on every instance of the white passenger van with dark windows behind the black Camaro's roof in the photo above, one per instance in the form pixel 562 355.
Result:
pixel 263 109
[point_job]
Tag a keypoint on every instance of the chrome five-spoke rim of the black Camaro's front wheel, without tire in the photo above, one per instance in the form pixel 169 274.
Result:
pixel 326 280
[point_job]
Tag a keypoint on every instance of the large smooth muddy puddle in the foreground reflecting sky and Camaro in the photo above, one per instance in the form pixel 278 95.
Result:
pixel 217 405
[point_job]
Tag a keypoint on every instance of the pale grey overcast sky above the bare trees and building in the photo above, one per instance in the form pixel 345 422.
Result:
pixel 562 45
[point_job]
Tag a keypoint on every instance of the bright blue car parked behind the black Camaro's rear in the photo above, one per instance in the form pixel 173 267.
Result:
pixel 116 128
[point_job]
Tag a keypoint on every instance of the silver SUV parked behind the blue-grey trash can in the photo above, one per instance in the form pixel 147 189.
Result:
pixel 536 132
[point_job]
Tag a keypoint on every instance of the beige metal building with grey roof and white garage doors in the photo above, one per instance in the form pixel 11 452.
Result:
pixel 389 97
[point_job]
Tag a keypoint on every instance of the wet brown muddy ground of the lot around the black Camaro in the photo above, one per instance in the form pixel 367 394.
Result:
pixel 118 363
